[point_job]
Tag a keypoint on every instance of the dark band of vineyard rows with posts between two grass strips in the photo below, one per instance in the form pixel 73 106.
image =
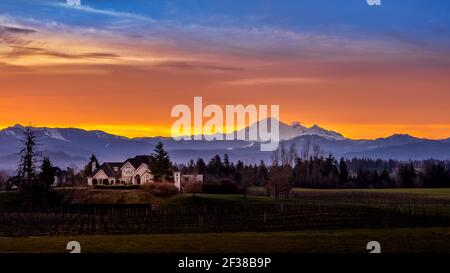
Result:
pixel 140 219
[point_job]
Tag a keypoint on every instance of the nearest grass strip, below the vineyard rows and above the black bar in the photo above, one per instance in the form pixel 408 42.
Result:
pixel 405 240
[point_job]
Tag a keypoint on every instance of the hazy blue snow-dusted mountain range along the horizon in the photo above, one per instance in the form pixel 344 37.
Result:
pixel 73 147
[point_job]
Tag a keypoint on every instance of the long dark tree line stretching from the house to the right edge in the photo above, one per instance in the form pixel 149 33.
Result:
pixel 288 169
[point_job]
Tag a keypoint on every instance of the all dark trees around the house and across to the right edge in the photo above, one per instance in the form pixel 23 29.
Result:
pixel 287 169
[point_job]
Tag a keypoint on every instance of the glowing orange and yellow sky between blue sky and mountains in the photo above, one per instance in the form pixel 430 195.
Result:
pixel 128 86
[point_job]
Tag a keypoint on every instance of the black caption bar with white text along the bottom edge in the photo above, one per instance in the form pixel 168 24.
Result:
pixel 271 262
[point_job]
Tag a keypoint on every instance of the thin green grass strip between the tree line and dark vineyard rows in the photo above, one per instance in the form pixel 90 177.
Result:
pixel 256 194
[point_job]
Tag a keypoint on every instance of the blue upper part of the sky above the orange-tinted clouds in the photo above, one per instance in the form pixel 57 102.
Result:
pixel 413 23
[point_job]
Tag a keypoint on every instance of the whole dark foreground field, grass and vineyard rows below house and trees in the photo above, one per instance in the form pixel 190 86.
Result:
pixel 403 221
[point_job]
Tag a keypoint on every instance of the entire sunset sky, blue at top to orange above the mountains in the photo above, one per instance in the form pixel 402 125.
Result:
pixel 120 66
